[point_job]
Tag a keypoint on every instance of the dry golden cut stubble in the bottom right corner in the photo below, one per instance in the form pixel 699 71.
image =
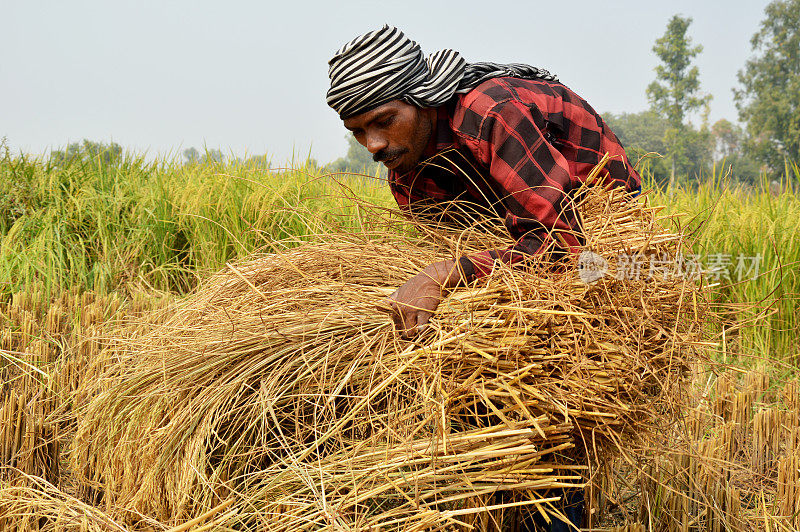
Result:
pixel 733 463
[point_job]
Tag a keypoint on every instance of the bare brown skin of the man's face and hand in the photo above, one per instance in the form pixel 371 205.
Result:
pixel 396 134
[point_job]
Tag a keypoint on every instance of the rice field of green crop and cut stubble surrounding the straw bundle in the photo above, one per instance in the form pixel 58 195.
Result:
pixel 87 249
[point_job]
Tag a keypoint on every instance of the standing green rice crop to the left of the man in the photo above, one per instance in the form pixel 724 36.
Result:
pixel 99 225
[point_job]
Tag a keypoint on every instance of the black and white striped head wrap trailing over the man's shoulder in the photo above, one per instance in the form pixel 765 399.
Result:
pixel 385 65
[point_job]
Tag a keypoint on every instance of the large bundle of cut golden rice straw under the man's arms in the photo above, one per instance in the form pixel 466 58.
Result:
pixel 279 387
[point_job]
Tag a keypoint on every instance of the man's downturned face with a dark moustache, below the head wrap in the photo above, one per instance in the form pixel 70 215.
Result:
pixel 395 133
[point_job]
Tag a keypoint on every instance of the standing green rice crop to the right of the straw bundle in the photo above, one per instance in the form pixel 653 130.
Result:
pixel 731 222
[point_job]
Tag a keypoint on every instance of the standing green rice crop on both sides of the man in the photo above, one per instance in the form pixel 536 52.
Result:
pixel 161 224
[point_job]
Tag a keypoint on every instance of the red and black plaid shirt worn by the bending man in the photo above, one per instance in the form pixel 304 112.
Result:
pixel 515 149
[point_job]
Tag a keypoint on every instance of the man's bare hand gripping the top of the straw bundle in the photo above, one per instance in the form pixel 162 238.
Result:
pixel 413 303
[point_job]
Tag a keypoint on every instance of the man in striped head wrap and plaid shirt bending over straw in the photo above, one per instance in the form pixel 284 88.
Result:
pixel 530 139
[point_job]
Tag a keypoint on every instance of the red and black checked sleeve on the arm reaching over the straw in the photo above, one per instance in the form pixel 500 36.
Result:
pixel 532 180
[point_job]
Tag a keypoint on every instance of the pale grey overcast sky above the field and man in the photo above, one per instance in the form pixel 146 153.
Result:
pixel 251 76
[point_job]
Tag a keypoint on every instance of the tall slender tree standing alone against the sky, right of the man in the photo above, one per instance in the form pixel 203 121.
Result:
pixel 675 93
